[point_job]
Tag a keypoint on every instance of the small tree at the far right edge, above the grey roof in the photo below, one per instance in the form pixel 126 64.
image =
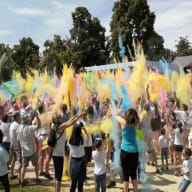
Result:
pixel 183 47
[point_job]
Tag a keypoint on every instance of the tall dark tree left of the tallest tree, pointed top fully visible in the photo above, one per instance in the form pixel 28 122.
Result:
pixel 88 42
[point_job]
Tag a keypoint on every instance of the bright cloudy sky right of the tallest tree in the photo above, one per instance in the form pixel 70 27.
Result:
pixel 173 19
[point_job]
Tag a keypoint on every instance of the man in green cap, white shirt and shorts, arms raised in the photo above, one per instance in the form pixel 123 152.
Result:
pixel 26 137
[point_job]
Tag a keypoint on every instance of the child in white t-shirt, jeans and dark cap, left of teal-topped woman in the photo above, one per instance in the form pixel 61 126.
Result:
pixel 99 156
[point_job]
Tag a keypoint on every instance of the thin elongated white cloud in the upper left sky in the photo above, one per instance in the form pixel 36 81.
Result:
pixel 30 12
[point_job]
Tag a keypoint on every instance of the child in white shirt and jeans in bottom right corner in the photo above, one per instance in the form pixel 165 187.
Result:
pixel 187 171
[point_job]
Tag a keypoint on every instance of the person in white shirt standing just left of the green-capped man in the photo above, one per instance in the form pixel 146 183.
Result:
pixel 15 153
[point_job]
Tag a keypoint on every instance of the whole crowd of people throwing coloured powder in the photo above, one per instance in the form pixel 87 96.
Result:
pixel 147 133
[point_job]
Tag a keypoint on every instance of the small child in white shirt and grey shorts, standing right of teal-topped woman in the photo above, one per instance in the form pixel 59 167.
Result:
pixel 163 143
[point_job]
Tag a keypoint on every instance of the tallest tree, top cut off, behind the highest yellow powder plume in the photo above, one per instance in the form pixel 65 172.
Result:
pixel 134 21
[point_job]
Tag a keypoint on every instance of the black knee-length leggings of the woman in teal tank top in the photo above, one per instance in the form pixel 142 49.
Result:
pixel 129 163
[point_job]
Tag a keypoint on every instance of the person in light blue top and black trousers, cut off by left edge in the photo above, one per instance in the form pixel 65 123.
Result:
pixel 4 158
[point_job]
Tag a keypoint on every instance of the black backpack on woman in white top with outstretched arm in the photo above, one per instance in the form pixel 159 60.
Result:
pixel 52 139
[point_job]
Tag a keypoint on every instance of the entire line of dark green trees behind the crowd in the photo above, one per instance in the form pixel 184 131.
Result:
pixel 87 45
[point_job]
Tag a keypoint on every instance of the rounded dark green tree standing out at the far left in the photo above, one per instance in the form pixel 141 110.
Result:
pixel 26 56
